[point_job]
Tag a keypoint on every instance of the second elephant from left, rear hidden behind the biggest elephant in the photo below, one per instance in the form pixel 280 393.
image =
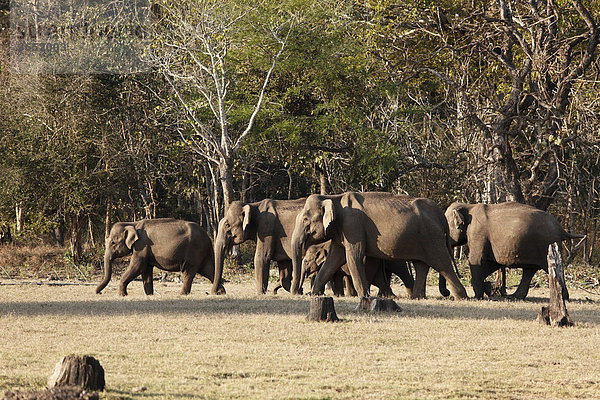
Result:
pixel 270 224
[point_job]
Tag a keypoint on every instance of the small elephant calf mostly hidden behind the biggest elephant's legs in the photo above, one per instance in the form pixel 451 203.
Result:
pixel 378 272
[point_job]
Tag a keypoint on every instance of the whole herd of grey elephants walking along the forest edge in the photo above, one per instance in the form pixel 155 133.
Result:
pixel 356 238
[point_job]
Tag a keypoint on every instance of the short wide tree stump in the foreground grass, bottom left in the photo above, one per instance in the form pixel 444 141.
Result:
pixel 83 371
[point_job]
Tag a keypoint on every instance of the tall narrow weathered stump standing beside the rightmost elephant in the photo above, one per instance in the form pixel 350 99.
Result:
pixel 556 312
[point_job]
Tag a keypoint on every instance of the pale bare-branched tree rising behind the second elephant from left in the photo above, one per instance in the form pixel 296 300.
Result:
pixel 197 44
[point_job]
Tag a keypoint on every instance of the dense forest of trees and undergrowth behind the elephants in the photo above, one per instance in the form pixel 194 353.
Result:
pixel 474 101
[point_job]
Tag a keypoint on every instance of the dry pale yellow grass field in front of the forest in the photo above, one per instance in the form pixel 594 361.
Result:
pixel 244 346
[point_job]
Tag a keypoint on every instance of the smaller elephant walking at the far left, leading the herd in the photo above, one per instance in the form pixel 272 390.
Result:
pixel 169 244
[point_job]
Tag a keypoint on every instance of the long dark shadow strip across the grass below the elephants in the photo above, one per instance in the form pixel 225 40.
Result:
pixel 226 306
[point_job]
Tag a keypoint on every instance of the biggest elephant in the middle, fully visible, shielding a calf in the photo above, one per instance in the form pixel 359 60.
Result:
pixel 379 225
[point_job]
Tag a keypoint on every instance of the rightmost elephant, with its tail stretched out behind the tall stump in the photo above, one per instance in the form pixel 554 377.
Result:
pixel 506 234
